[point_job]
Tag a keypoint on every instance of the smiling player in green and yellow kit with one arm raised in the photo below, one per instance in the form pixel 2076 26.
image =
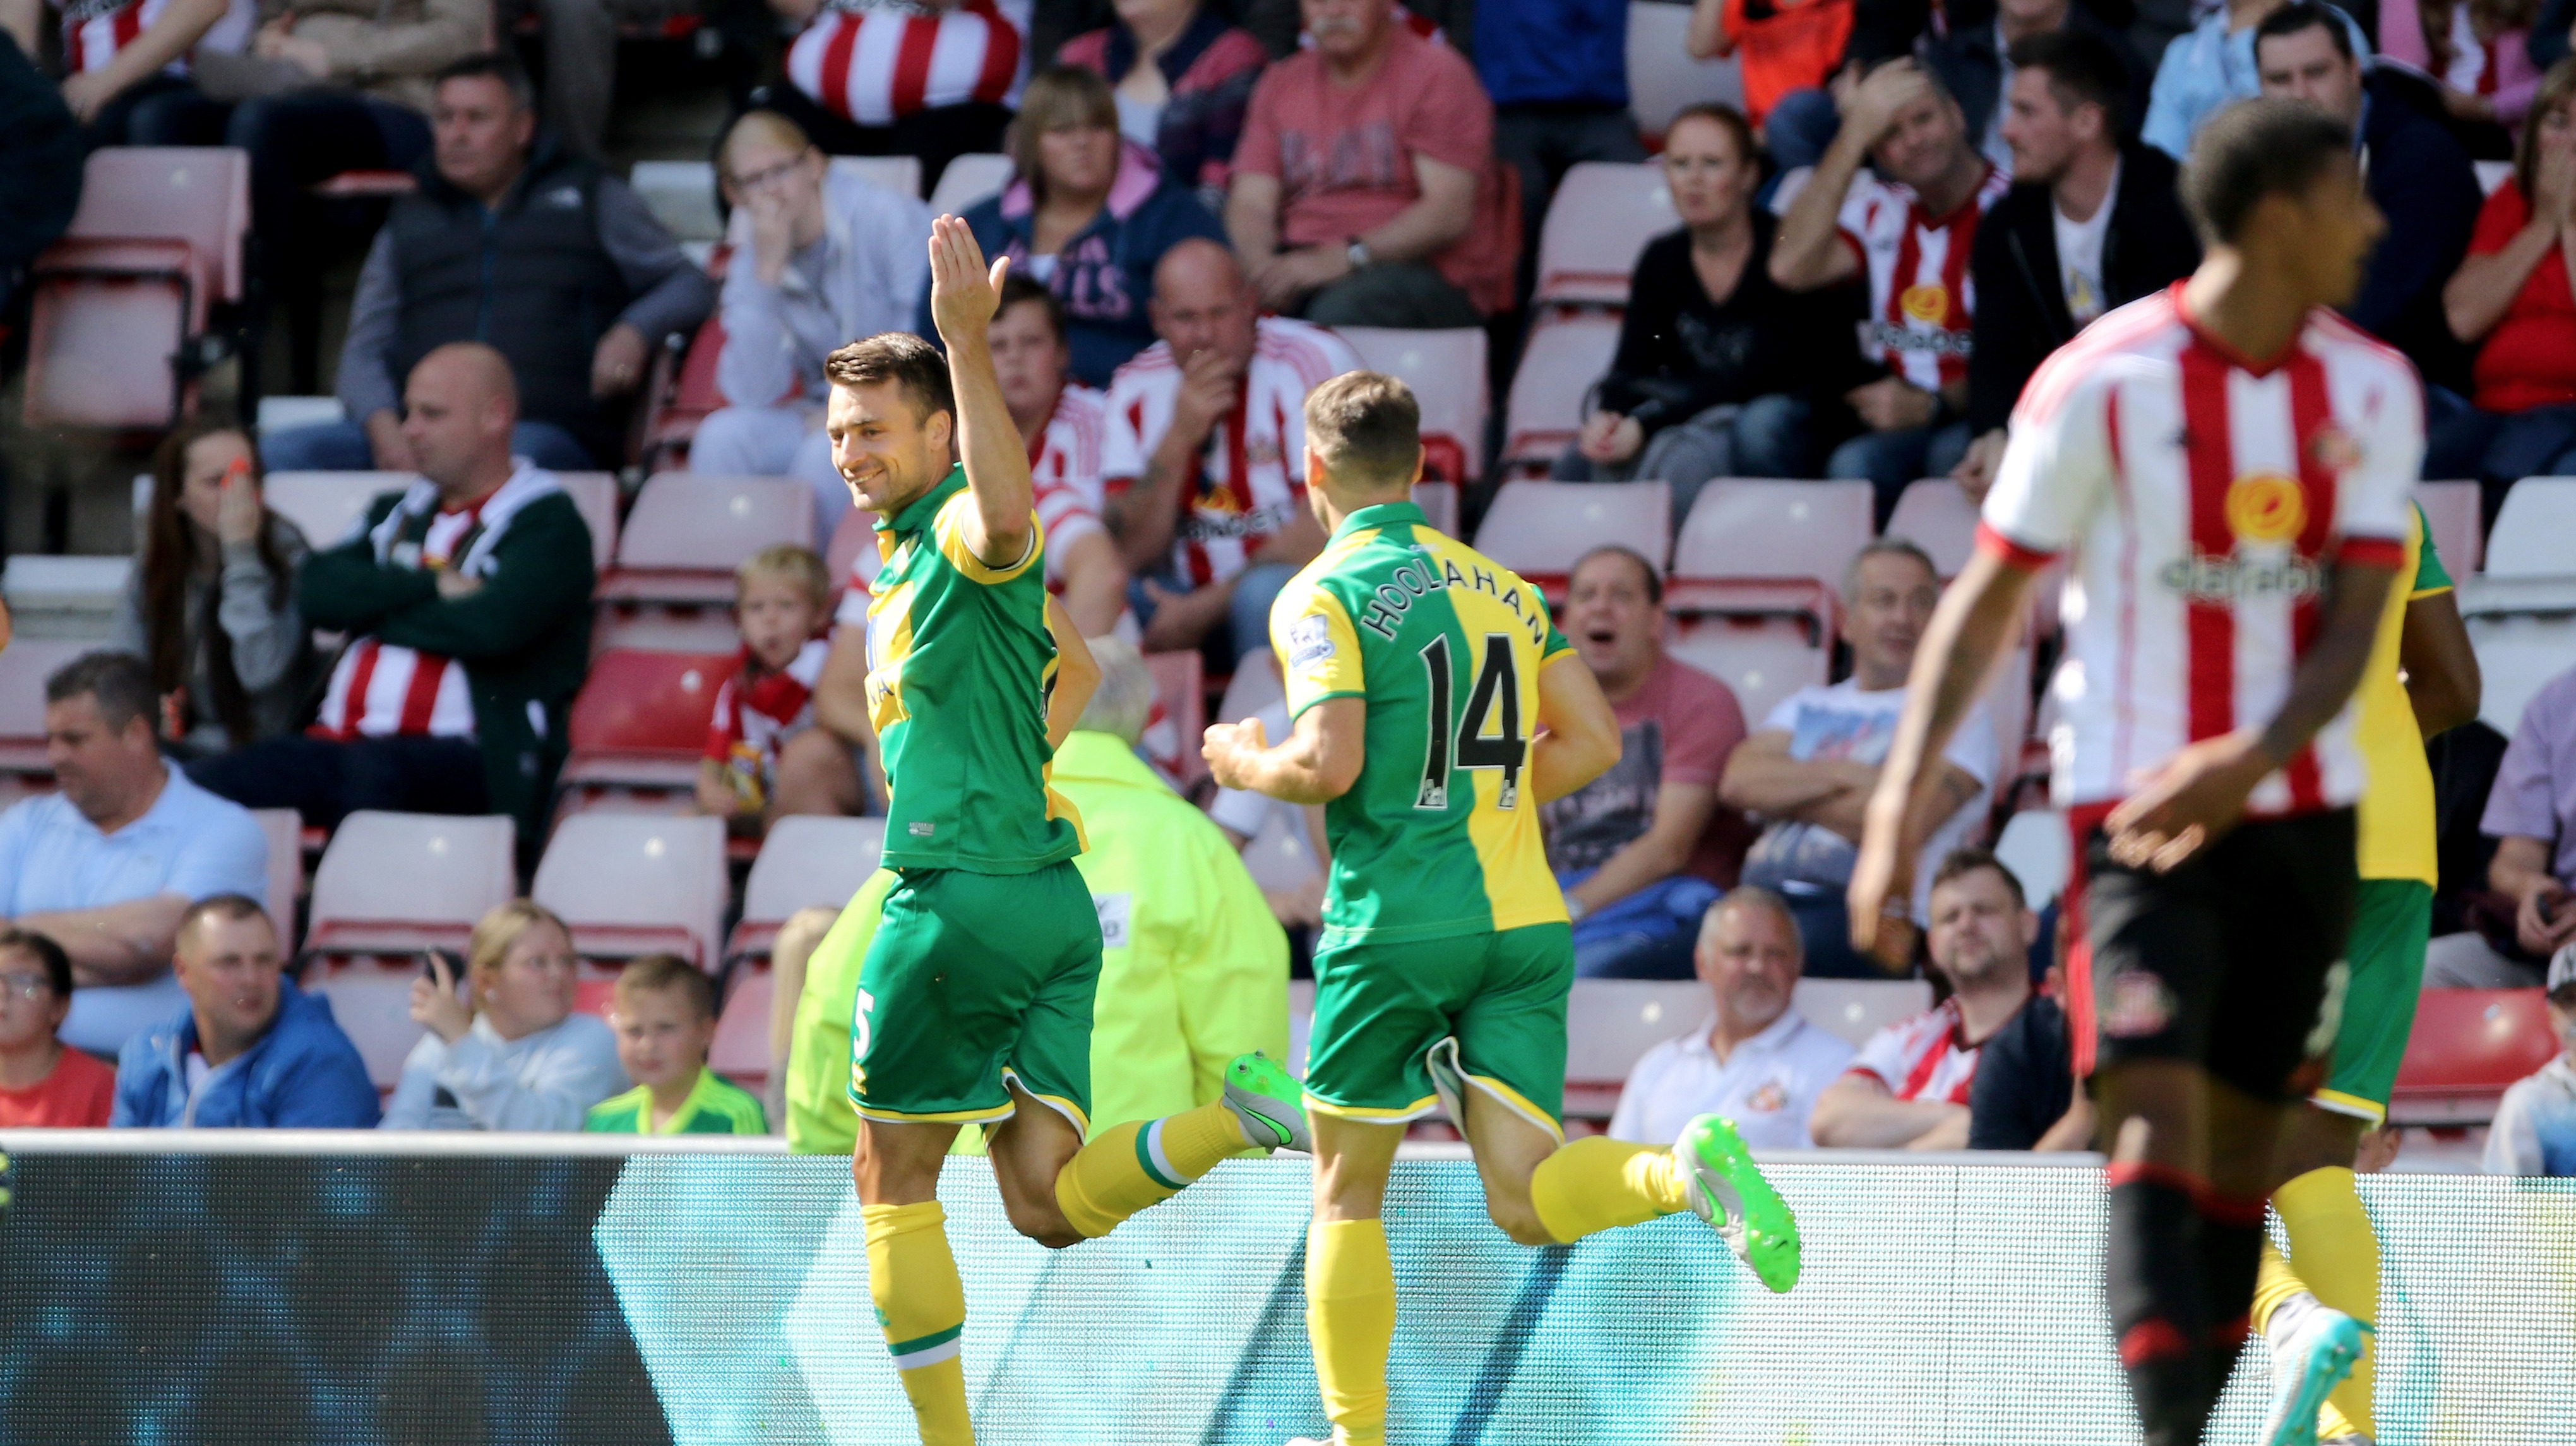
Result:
pixel 975 1001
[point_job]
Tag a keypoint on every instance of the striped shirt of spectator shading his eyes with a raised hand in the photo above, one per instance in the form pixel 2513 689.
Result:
pixel 1923 295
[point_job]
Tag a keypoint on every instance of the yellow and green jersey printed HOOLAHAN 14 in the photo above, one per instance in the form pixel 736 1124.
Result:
pixel 1439 836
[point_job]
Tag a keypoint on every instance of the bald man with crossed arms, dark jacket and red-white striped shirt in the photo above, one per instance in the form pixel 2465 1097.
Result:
pixel 468 607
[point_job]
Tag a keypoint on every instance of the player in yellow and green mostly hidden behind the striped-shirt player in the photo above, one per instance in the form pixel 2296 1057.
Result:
pixel 2315 1308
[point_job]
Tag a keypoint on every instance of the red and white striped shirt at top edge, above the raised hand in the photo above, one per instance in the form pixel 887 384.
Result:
pixel 882 61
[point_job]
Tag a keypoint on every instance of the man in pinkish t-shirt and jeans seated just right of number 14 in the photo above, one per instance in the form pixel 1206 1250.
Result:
pixel 1645 849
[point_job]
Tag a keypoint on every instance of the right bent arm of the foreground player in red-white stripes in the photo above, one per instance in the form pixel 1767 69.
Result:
pixel 2201 793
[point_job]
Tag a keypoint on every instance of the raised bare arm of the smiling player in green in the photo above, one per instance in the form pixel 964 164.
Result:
pixel 962 300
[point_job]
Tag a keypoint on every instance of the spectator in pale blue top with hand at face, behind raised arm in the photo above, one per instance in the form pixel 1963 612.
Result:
pixel 818 259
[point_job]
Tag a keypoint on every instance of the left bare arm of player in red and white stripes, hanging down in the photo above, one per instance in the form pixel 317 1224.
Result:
pixel 1951 669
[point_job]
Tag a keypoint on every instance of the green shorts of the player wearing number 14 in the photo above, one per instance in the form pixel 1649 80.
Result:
pixel 1379 1009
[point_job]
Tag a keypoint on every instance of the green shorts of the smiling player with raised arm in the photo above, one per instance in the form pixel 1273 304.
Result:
pixel 972 983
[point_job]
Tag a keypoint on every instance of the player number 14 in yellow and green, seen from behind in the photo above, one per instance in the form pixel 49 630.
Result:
pixel 1434 710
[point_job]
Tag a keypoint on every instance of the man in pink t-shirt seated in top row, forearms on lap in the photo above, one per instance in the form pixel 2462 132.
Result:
pixel 1367 189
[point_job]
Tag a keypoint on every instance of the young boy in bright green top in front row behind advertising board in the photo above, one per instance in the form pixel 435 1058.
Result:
pixel 666 1019
